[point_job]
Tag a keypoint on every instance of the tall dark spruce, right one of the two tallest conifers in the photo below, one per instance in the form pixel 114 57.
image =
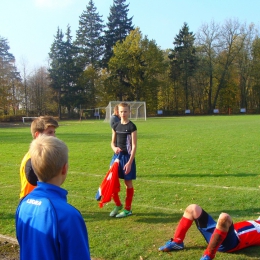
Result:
pixel 119 26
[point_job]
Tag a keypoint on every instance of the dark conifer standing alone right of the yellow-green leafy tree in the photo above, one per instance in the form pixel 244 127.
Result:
pixel 183 60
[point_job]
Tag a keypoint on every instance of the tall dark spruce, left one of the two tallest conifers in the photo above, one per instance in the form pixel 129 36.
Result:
pixel 89 37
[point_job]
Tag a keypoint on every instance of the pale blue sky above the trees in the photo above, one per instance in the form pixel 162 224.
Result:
pixel 30 25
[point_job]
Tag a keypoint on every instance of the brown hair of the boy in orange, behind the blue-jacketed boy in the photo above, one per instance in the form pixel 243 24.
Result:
pixel 41 123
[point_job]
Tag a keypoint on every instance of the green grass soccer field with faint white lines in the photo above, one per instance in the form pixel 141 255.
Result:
pixel 212 161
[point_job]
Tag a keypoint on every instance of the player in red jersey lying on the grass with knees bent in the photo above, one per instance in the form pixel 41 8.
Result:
pixel 222 236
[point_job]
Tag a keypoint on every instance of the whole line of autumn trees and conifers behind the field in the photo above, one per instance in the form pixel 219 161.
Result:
pixel 216 69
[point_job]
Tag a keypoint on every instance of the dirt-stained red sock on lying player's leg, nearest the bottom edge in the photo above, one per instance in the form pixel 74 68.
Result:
pixel 216 240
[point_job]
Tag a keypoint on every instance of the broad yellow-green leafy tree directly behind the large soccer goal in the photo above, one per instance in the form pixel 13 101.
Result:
pixel 134 69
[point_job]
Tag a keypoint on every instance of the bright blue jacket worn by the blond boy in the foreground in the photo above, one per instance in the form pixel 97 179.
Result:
pixel 47 227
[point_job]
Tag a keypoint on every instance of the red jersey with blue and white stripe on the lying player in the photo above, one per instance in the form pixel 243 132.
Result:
pixel 248 233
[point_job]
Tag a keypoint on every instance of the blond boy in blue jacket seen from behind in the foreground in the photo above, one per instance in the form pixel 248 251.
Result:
pixel 47 227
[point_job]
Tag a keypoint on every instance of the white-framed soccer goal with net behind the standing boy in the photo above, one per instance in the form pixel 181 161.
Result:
pixel 137 109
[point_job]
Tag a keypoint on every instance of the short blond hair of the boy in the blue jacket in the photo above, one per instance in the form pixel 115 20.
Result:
pixel 48 155
